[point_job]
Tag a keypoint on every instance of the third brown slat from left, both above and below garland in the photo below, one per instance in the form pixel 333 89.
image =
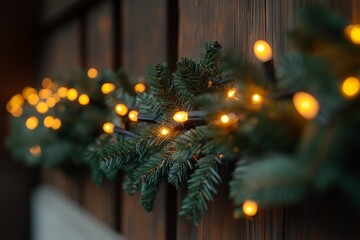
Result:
pixel 144 41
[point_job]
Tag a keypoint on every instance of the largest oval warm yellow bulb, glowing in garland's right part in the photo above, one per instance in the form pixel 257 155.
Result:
pixel 306 105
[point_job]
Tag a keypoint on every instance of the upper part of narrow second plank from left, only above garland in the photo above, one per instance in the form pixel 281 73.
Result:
pixel 100 37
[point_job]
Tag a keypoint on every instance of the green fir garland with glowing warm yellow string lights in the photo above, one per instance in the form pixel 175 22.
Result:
pixel 290 134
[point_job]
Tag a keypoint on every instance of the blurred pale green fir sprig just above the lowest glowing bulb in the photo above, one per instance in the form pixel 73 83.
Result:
pixel 274 180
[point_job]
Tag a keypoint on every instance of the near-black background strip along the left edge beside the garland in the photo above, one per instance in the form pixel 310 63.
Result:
pixel 18 21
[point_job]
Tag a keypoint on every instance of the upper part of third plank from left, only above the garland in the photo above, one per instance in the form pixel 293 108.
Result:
pixel 144 34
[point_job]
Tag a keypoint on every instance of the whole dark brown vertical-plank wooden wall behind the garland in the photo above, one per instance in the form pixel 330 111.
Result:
pixel 130 34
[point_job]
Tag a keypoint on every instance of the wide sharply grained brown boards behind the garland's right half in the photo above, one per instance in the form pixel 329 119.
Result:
pixel 237 24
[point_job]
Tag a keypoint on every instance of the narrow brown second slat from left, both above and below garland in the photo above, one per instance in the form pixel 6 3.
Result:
pixel 100 201
